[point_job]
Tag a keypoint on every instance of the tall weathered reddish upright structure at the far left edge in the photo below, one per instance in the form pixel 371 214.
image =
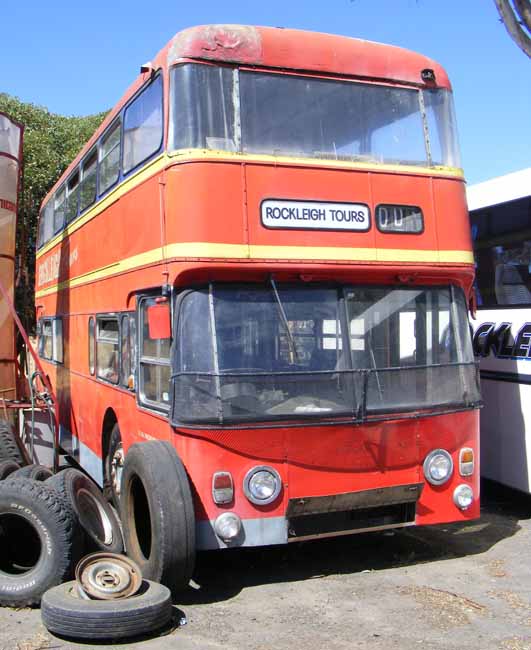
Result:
pixel 11 134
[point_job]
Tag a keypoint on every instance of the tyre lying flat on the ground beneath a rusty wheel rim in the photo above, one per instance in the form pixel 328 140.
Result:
pixel 65 613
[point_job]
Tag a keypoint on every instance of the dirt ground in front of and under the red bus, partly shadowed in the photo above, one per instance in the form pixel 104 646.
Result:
pixel 453 586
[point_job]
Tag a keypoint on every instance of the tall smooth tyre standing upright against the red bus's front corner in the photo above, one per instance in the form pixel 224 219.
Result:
pixel 158 514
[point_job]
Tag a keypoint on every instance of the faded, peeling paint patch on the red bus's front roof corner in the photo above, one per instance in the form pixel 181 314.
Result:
pixel 231 43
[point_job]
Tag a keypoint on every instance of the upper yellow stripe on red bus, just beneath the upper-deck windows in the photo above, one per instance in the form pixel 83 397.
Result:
pixel 190 155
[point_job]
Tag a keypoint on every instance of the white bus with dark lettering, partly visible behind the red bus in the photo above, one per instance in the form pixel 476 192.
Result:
pixel 500 215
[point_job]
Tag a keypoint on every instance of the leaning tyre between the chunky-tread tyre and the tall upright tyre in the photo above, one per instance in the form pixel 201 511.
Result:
pixel 94 514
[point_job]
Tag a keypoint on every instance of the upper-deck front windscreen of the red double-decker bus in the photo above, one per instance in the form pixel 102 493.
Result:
pixel 284 114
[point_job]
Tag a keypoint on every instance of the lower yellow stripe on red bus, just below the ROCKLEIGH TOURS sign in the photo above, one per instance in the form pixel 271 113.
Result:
pixel 212 250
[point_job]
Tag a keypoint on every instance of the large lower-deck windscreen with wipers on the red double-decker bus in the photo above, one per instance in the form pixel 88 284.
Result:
pixel 258 353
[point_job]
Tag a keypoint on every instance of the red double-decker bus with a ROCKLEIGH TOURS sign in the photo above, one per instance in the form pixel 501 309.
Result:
pixel 259 267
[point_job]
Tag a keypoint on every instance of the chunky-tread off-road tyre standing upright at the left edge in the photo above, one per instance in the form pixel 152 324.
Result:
pixel 36 541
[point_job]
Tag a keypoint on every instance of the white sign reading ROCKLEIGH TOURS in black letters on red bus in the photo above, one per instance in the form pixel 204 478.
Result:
pixel 314 215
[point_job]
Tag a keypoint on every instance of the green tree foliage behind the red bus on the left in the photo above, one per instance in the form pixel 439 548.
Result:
pixel 50 143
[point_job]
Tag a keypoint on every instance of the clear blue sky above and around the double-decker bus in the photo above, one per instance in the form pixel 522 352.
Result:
pixel 78 58
